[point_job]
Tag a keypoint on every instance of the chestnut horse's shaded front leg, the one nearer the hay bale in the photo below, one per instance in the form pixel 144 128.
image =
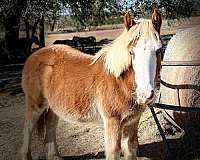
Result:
pixel 130 140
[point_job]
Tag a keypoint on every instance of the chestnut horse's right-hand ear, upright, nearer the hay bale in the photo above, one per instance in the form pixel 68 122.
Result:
pixel 156 19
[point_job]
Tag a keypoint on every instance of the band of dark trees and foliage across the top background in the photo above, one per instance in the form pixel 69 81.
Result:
pixel 29 19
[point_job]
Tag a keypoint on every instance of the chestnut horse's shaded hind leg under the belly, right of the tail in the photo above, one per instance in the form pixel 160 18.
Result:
pixel 50 138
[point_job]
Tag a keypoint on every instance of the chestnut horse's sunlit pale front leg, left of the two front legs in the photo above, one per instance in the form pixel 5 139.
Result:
pixel 112 138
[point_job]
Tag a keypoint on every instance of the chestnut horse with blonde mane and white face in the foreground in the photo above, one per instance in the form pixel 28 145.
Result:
pixel 114 87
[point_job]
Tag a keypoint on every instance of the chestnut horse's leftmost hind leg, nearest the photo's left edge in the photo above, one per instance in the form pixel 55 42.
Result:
pixel 33 112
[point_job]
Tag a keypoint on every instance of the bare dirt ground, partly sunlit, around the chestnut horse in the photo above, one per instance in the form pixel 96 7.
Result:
pixel 82 141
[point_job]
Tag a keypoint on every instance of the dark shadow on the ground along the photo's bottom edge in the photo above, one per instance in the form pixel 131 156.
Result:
pixel 180 149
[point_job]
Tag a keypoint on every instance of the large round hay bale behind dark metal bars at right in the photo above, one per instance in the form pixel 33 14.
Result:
pixel 184 81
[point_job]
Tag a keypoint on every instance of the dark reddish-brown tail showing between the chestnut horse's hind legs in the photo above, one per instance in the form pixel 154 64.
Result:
pixel 41 124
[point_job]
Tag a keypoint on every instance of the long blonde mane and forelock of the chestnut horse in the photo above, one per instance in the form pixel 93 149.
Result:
pixel 116 56
